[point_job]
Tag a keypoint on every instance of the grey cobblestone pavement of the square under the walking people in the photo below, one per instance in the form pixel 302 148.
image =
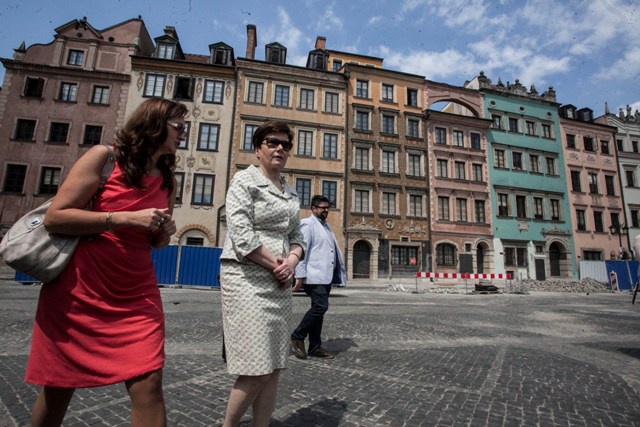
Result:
pixel 403 359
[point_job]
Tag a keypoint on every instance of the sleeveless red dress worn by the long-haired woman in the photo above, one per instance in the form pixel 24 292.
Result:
pixel 101 322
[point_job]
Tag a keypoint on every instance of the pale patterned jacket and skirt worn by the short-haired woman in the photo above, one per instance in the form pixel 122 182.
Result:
pixel 256 311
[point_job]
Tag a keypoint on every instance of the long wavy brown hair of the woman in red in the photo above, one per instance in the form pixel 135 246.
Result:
pixel 142 134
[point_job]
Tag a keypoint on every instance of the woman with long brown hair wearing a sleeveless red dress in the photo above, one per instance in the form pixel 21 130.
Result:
pixel 101 322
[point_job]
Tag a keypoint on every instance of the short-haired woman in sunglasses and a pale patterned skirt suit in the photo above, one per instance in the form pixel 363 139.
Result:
pixel 261 251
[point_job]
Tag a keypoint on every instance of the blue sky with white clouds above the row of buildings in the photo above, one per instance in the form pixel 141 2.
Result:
pixel 589 51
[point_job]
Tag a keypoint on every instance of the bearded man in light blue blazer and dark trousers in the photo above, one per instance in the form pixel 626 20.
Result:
pixel 321 268
